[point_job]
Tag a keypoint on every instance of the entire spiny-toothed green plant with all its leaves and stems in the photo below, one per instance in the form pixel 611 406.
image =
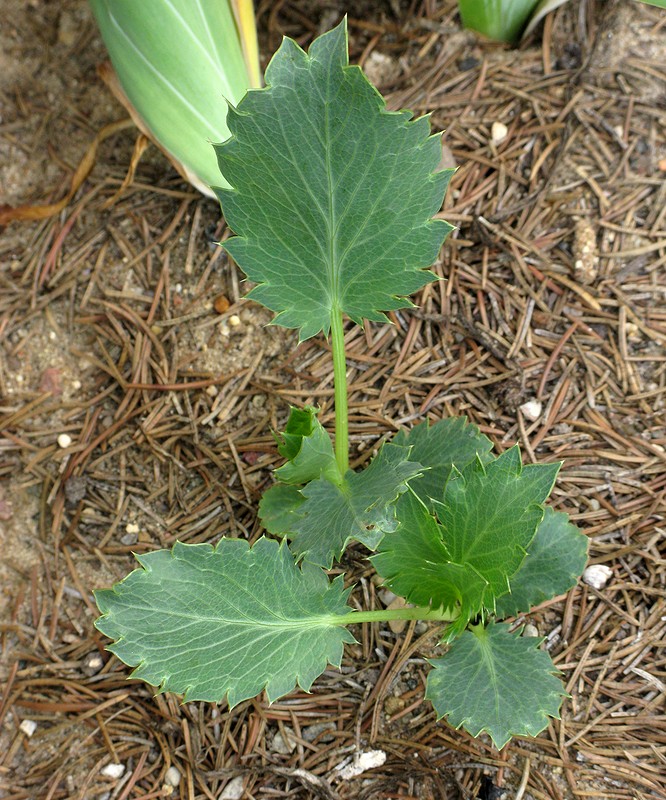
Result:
pixel 333 201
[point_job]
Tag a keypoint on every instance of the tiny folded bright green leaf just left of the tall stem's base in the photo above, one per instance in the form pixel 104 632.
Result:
pixel 307 448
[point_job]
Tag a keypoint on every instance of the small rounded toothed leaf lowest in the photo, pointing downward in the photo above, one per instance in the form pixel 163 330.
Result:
pixel 495 681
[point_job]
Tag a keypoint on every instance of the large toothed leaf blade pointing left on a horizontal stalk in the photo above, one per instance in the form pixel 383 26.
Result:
pixel 227 621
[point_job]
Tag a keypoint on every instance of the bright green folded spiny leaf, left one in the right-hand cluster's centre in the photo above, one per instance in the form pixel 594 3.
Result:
pixel 415 564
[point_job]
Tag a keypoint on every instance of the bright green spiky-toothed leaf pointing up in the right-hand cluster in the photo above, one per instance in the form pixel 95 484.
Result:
pixel 490 514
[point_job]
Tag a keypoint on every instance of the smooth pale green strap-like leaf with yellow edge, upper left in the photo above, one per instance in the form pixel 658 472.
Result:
pixel 177 64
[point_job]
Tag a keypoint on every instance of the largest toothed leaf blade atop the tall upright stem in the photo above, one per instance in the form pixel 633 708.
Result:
pixel 333 196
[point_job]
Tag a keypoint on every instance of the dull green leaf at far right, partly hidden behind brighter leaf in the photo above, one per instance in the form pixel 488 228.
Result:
pixel 556 557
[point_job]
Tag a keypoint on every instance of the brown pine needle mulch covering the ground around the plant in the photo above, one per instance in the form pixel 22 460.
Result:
pixel 124 328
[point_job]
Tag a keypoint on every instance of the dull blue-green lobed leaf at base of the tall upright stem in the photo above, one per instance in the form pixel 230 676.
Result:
pixel 360 508
